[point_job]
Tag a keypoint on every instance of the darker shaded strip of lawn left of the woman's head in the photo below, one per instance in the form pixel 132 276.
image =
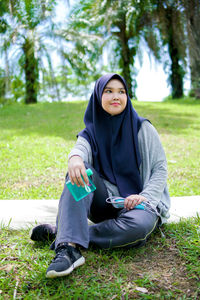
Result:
pixel 63 120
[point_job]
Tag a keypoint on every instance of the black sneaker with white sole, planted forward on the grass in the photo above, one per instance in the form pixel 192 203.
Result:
pixel 66 260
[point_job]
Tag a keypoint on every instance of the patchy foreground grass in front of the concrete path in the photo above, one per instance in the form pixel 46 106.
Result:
pixel 166 268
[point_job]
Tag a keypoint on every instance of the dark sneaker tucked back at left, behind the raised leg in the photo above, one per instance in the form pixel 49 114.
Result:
pixel 43 232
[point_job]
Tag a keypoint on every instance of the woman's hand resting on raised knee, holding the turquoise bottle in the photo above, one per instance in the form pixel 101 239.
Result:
pixel 76 168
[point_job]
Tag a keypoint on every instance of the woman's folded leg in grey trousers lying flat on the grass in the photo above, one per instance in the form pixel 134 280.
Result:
pixel 130 228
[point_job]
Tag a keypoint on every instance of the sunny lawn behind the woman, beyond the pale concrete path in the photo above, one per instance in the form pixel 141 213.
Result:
pixel 35 141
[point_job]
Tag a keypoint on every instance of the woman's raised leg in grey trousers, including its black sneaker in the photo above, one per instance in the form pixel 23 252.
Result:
pixel 72 227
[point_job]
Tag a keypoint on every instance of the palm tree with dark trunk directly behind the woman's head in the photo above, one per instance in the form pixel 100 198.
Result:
pixel 125 22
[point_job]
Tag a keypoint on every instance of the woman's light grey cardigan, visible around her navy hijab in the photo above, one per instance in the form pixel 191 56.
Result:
pixel 153 168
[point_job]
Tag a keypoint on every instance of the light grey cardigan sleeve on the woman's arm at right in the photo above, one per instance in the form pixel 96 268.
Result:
pixel 153 167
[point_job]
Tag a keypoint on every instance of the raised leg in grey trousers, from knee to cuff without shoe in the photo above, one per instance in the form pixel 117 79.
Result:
pixel 72 222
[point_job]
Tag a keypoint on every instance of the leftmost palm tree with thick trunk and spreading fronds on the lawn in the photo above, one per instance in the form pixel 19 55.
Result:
pixel 24 37
